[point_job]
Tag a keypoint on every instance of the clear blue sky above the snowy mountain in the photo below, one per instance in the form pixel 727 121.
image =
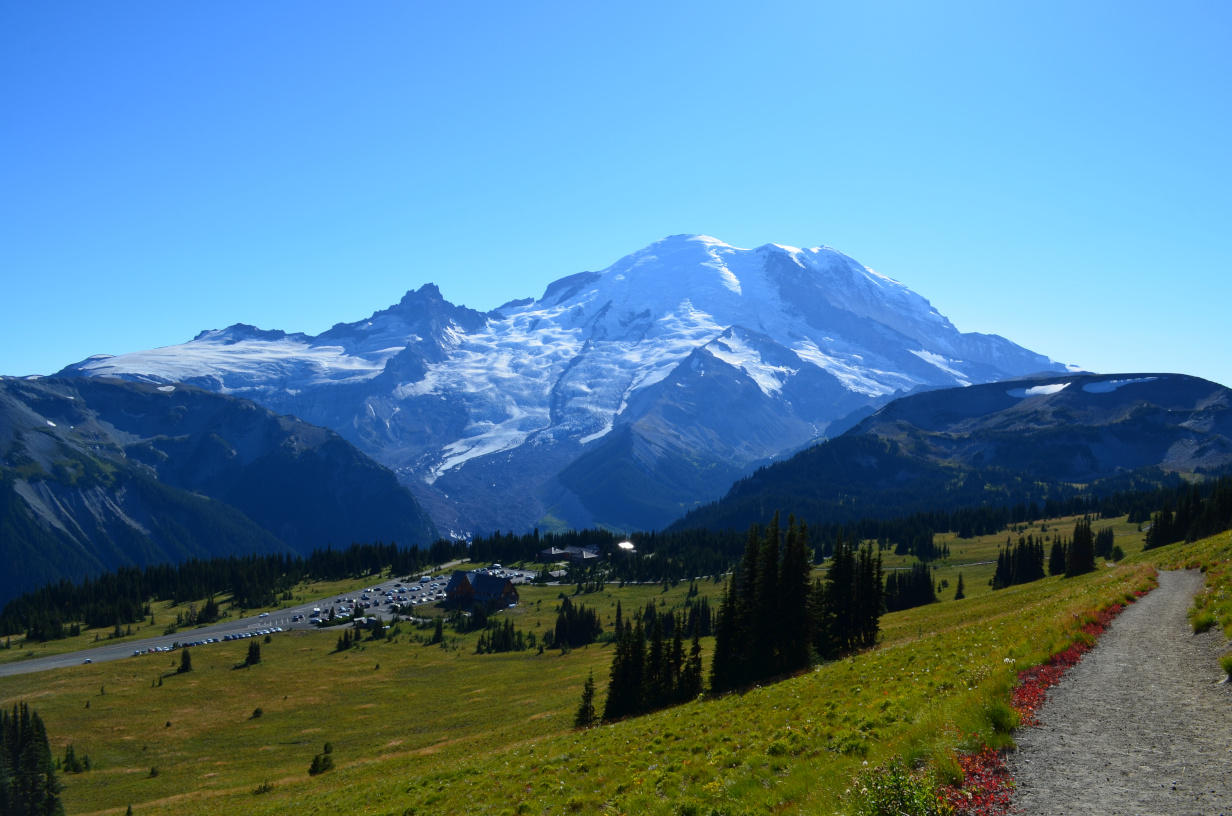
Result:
pixel 1056 173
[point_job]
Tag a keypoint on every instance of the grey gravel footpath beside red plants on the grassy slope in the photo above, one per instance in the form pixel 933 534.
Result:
pixel 1141 725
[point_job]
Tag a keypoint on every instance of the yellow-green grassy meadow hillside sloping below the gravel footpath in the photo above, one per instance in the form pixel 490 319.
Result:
pixel 428 730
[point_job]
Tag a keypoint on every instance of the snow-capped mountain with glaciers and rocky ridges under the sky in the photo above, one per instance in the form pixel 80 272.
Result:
pixel 623 398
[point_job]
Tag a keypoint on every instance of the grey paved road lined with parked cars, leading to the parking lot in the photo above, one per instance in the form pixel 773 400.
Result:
pixel 116 651
